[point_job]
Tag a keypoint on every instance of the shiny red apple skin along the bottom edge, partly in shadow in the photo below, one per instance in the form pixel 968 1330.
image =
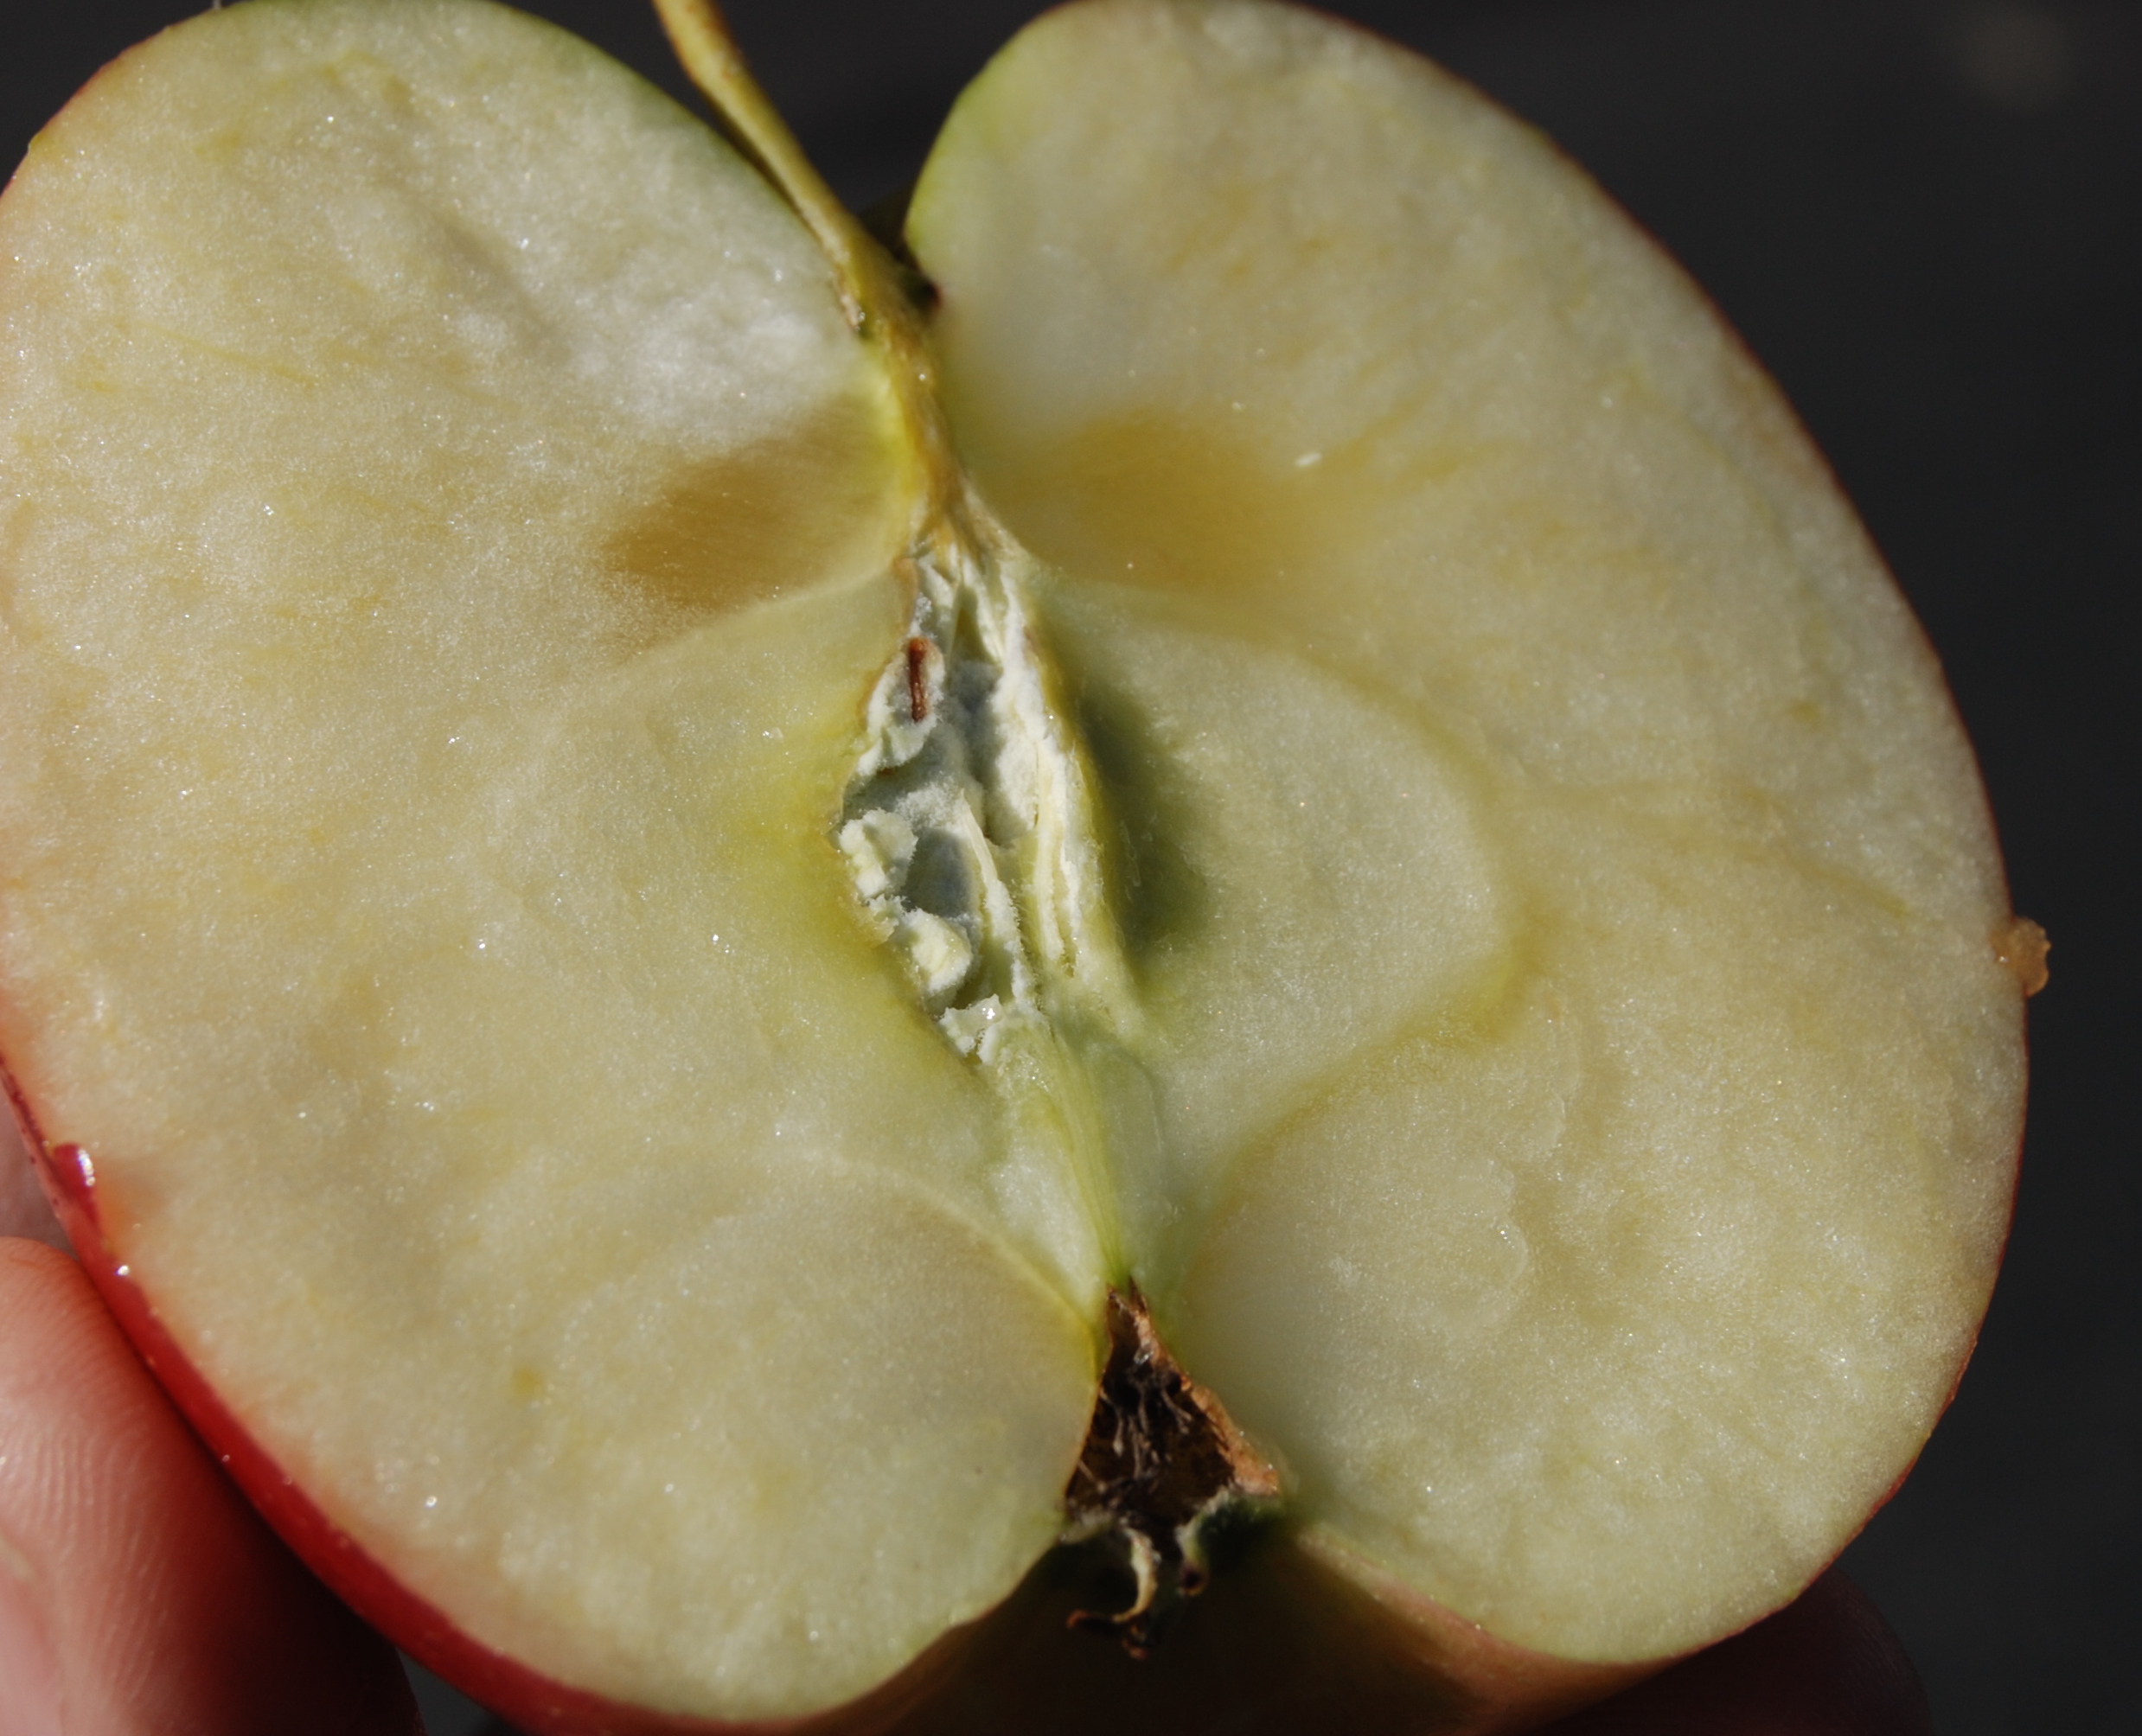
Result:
pixel 1291 1630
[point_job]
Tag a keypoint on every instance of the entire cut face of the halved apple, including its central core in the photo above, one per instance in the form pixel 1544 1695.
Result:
pixel 635 887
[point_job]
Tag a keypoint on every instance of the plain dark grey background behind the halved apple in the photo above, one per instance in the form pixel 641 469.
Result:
pixel 1927 217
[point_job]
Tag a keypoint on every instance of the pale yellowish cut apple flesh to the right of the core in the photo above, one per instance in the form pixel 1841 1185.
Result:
pixel 1605 1283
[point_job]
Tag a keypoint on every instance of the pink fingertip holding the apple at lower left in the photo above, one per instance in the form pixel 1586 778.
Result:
pixel 140 1572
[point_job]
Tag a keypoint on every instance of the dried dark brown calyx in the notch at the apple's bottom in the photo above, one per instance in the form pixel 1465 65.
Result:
pixel 1162 1461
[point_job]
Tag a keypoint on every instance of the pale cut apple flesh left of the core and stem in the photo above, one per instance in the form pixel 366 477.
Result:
pixel 447 545
